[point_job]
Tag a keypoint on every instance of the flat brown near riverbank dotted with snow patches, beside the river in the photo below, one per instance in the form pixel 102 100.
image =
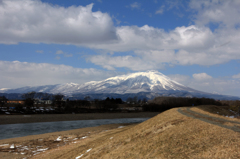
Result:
pixel 29 146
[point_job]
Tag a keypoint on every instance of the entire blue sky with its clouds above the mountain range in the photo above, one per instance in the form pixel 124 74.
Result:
pixel 49 42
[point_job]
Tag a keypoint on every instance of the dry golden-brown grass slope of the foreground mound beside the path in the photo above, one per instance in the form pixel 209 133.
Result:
pixel 167 135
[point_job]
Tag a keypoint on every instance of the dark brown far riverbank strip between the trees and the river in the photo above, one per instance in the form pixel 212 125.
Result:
pixel 15 119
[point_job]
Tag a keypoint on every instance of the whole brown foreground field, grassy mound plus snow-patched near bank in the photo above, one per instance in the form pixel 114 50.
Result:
pixel 177 133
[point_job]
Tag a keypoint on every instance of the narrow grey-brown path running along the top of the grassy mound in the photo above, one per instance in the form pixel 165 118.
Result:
pixel 228 124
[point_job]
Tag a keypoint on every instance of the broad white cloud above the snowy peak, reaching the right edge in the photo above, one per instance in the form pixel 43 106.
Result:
pixel 182 46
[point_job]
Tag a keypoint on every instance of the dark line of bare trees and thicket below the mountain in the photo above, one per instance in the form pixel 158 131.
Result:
pixel 158 104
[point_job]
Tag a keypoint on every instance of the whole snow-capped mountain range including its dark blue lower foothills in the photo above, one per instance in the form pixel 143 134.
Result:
pixel 145 84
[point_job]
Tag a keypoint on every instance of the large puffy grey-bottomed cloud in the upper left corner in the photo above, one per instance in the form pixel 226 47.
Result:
pixel 33 21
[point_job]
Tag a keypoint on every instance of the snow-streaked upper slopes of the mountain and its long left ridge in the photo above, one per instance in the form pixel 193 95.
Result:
pixel 150 81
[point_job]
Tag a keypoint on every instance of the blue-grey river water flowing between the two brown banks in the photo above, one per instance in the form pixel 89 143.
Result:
pixel 19 130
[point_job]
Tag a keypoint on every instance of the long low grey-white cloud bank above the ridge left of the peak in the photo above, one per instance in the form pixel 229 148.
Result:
pixel 17 74
